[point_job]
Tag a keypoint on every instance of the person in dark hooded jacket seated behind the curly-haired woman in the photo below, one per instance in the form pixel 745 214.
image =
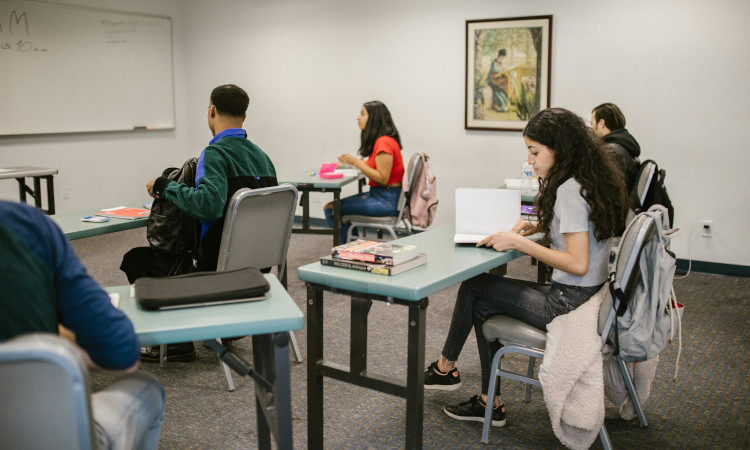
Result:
pixel 608 123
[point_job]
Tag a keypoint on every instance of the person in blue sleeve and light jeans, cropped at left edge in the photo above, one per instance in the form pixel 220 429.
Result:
pixel 46 289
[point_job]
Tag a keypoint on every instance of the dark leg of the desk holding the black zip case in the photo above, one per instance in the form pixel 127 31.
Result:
pixel 273 410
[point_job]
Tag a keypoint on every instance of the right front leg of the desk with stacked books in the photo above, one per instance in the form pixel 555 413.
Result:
pixel 415 374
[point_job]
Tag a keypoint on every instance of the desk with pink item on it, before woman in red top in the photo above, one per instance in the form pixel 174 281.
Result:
pixel 311 181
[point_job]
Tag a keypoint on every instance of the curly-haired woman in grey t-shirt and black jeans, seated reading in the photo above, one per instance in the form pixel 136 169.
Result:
pixel 581 205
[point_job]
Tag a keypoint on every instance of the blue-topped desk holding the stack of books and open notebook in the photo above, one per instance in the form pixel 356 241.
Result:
pixel 447 265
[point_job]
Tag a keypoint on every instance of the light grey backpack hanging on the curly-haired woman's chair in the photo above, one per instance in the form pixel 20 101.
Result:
pixel 645 325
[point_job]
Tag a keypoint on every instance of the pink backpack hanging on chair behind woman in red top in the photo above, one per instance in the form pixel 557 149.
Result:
pixel 421 200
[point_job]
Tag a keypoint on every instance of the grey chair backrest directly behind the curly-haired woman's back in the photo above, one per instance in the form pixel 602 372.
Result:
pixel 625 266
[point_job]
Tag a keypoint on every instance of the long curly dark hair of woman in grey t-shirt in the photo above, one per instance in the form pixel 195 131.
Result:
pixel 581 155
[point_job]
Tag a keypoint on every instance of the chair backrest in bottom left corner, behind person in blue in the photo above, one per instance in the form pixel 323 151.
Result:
pixel 45 401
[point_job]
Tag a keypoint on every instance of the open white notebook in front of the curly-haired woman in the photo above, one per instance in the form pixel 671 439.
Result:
pixel 482 212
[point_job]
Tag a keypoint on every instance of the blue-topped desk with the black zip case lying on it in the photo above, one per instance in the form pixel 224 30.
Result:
pixel 267 321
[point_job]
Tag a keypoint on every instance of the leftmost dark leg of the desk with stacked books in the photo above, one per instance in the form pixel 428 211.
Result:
pixel 314 376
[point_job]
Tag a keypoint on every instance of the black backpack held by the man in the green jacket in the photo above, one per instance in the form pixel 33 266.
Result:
pixel 170 232
